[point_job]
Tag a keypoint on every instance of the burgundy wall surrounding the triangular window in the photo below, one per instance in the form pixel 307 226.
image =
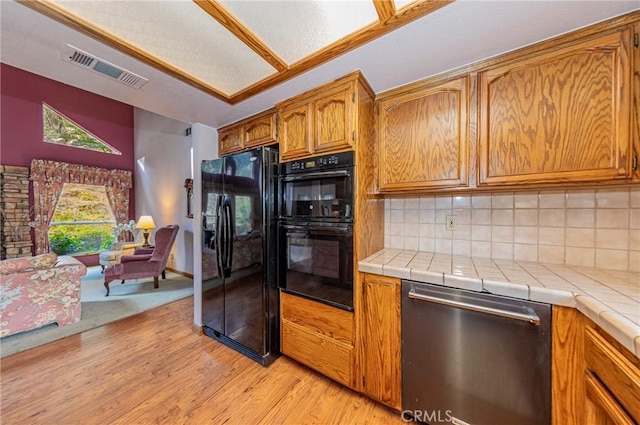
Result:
pixel 21 133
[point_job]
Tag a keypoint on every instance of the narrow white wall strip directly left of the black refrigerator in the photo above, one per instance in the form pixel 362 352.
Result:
pixel 204 140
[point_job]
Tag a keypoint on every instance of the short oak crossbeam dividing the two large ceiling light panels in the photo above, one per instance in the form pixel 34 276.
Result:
pixel 227 20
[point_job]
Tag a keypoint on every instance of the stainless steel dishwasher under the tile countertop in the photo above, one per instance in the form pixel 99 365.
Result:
pixel 474 358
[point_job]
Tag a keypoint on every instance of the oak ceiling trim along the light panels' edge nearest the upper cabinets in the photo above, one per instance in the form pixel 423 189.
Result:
pixel 405 15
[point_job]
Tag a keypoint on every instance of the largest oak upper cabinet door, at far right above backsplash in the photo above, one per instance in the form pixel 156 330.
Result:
pixel 561 116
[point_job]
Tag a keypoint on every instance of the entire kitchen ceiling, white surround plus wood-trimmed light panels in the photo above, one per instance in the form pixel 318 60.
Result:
pixel 436 41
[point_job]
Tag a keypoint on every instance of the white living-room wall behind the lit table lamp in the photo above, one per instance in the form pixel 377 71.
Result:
pixel 163 162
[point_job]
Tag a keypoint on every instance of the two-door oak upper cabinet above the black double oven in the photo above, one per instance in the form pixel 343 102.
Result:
pixel 323 120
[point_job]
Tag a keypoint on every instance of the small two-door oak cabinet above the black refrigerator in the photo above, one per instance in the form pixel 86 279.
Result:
pixel 254 131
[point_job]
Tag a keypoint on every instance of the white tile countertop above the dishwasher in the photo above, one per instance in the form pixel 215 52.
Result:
pixel 610 298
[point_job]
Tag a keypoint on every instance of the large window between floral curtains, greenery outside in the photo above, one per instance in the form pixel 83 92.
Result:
pixel 82 221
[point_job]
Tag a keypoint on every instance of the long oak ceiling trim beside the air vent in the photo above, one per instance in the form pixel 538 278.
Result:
pixel 75 22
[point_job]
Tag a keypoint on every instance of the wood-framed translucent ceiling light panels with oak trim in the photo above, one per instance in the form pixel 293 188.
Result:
pixel 235 49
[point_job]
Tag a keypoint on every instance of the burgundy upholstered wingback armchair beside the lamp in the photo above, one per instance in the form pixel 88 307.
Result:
pixel 144 264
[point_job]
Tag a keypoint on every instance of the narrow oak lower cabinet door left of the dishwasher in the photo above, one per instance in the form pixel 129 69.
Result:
pixel 382 360
